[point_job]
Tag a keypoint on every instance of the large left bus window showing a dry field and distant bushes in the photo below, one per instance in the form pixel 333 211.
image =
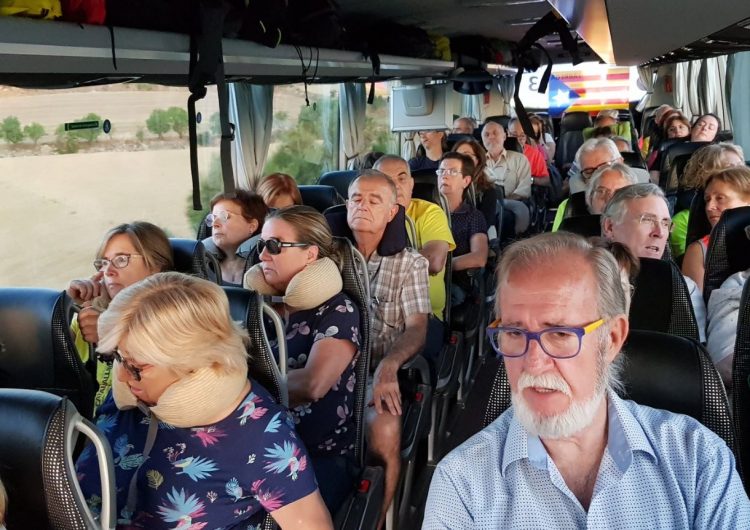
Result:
pixel 63 189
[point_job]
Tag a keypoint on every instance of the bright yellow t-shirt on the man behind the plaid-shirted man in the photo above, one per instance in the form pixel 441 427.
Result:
pixel 432 225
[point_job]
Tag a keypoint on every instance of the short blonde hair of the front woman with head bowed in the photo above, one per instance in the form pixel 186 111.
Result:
pixel 175 320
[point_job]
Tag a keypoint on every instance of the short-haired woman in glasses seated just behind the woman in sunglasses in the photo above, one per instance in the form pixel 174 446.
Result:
pixel 235 220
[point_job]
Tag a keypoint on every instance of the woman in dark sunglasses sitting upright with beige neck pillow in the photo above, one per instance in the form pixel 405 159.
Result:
pixel 299 261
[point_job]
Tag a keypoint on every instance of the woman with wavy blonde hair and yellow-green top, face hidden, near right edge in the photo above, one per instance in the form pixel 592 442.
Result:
pixel 702 164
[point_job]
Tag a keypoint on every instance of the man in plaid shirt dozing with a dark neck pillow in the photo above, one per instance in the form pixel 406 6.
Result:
pixel 400 307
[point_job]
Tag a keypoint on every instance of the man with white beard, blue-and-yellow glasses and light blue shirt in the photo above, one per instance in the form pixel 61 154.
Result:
pixel 570 453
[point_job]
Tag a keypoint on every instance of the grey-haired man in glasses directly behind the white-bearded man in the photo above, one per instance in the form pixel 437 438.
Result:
pixel 638 217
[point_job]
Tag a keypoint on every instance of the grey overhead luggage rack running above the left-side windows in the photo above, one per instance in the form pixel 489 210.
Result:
pixel 45 53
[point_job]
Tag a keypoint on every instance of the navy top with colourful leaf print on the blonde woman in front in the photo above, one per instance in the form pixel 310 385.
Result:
pixel 226 475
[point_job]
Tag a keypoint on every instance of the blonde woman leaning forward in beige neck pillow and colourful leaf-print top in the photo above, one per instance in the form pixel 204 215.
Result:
pixel 196 443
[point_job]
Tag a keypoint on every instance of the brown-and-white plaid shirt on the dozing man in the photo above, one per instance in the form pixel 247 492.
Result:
pixel 399 287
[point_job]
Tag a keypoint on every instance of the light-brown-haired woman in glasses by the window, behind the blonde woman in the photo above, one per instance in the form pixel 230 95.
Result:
pixel 127 254
